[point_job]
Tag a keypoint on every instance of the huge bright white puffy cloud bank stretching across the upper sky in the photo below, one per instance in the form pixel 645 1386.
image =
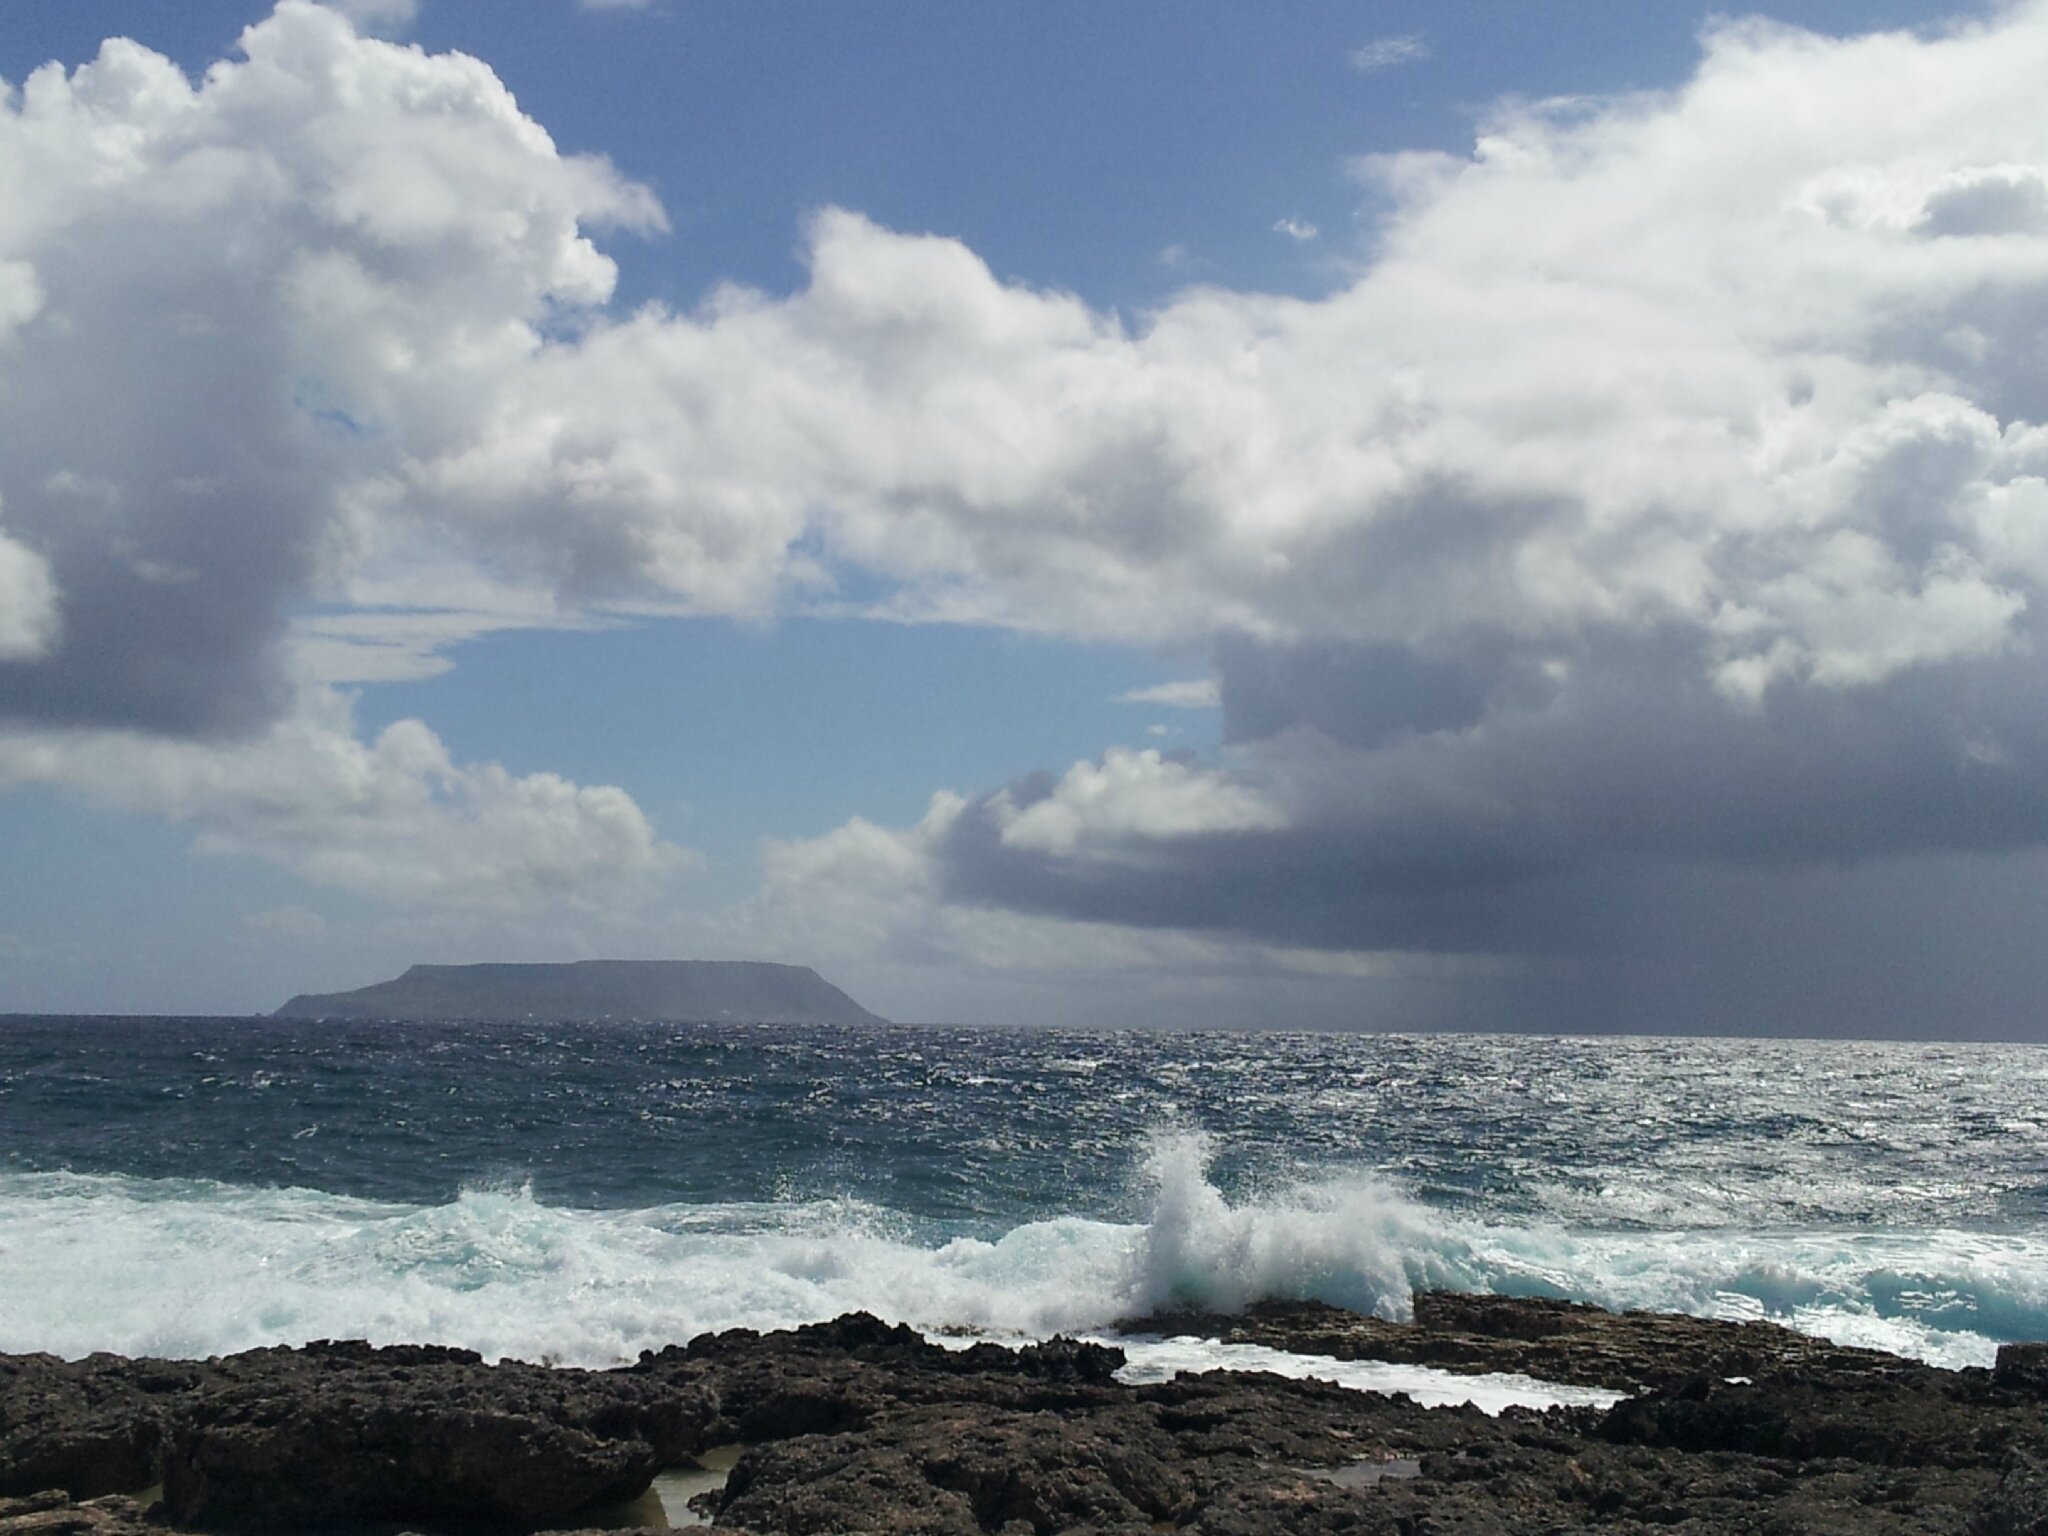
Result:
pixel 1621 368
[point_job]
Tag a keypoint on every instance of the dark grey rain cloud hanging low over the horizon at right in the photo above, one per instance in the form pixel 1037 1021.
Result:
pixel 1625 830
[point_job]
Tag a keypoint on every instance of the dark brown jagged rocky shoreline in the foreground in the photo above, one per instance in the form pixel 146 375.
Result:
pixel 857 1426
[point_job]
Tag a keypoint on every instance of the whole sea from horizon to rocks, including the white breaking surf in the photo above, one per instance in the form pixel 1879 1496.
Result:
pixel 587 1191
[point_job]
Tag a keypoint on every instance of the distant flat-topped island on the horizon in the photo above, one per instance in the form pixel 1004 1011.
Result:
pixel 685 992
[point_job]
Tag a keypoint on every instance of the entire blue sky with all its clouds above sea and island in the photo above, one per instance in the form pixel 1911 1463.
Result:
pixel 1345 515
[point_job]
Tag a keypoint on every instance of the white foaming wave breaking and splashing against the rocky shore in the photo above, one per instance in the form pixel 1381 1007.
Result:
pixel 196 1269
